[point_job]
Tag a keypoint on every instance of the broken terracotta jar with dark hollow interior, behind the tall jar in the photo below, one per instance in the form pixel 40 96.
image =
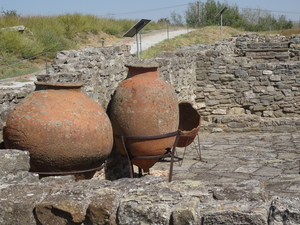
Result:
pixel 189 124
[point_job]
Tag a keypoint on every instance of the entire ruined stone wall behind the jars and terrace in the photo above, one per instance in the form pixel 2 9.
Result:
pixel 224 80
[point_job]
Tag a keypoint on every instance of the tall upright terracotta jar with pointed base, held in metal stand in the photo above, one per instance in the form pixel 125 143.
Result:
pixel 144 105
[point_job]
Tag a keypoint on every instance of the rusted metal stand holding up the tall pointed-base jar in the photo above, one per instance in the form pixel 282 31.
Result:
pixel 169 153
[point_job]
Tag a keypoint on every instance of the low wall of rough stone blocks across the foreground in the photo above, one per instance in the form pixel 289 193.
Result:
pixel 149 200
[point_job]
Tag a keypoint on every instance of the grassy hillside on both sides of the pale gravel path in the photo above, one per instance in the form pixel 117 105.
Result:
pixel 26 50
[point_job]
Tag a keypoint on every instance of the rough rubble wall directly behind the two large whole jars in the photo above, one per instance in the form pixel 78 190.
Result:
pixel 102 69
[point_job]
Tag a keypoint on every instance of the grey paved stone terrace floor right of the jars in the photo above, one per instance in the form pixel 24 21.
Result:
pixel 267 161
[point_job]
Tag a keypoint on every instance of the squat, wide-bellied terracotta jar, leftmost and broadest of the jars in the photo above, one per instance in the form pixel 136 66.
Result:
pixel 62 128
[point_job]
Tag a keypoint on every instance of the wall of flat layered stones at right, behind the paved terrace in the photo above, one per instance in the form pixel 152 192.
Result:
pixel 264 90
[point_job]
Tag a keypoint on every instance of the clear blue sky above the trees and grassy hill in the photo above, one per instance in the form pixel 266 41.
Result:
pixel 138 9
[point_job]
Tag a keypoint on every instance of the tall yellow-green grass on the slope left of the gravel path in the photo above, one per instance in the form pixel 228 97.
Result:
pixel 52 34
